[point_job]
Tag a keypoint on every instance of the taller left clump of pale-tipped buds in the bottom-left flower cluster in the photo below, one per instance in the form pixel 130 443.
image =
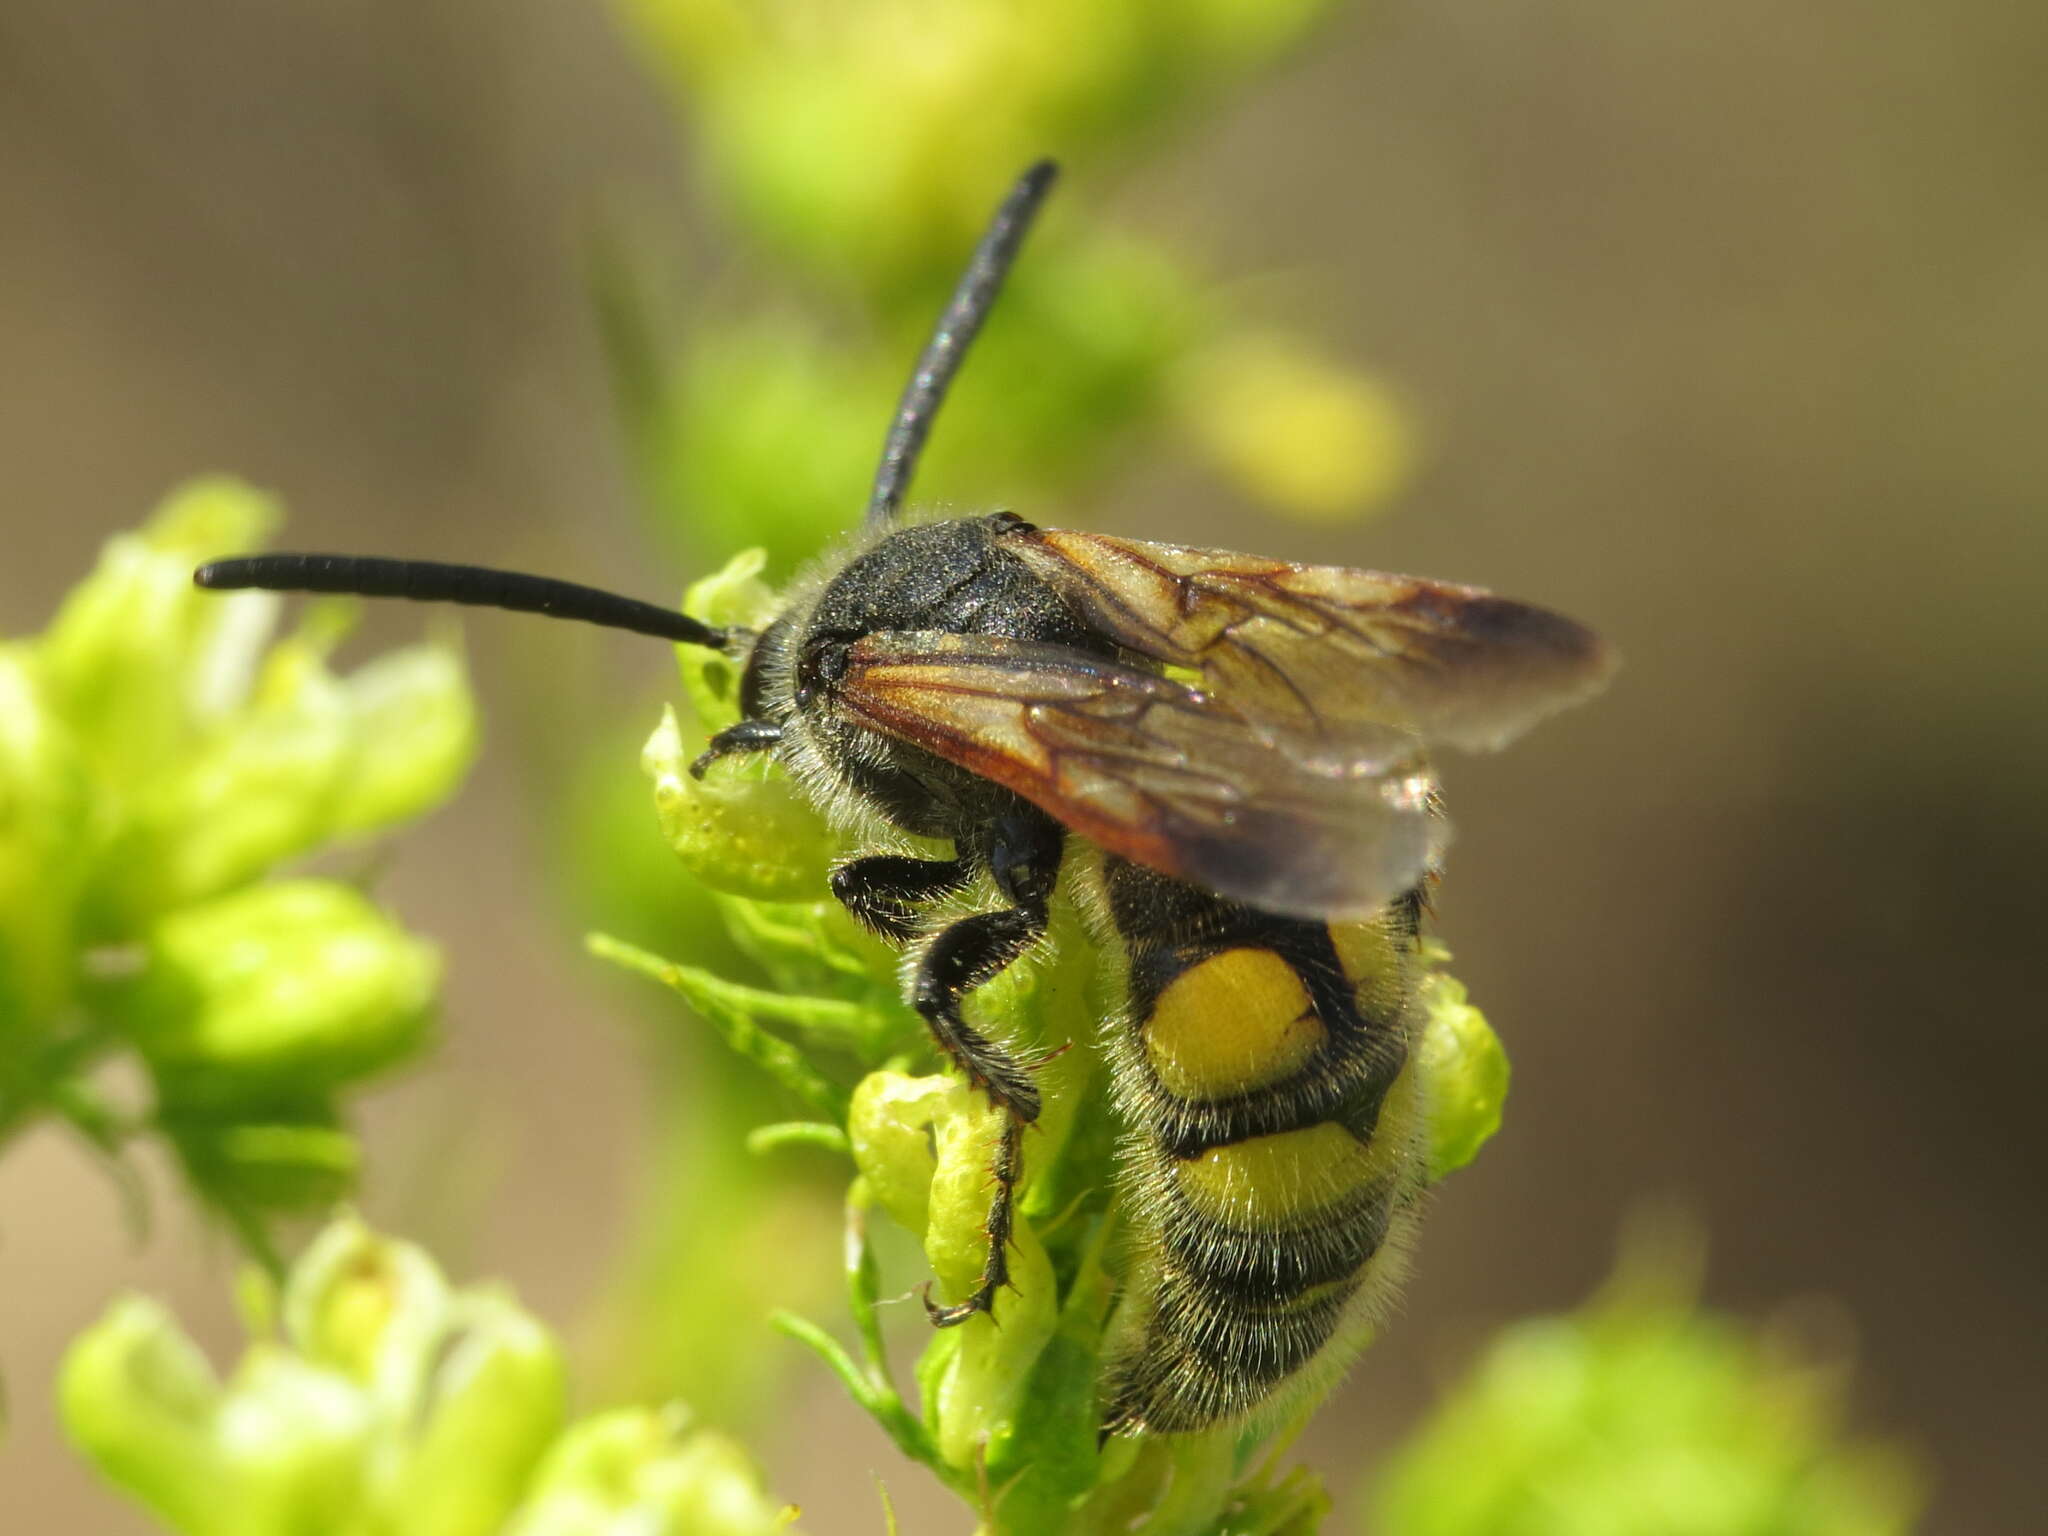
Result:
pixel 392 1404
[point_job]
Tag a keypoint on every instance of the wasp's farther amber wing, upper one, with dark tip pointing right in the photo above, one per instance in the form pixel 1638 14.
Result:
pixel 1324 650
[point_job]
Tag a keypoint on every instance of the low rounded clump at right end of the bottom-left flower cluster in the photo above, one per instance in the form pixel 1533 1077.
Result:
pixel 644 1471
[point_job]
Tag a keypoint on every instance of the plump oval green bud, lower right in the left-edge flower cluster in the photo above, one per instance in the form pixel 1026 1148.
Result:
pixel 294 986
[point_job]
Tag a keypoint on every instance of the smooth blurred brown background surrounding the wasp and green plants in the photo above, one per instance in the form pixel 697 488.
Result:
pixel 1727 329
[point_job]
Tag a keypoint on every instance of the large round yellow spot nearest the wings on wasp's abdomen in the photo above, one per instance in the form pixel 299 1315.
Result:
pixel 1234 1023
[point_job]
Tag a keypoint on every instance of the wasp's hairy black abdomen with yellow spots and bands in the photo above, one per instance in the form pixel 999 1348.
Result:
pixel 1265 1072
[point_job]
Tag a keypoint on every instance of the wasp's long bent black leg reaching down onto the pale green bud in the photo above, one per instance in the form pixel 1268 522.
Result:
pixel 1023 855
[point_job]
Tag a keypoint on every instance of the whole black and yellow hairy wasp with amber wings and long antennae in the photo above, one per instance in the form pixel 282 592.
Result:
pixel 1224 759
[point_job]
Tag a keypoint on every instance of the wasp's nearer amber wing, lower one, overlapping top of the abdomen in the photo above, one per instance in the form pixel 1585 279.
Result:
pixel 1162 773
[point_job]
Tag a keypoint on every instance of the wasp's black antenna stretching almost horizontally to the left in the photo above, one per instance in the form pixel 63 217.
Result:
pixel 425 581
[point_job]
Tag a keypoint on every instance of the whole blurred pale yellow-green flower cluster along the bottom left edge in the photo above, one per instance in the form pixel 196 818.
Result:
pixel 376 1400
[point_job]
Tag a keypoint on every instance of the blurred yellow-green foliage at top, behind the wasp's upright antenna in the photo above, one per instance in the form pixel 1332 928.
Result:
pixel 857 153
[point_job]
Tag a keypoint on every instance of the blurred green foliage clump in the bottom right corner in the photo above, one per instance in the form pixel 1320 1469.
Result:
pixel 1646 1414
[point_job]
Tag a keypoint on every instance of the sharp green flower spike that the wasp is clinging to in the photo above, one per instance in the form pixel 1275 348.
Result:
pixel 1007 1406
